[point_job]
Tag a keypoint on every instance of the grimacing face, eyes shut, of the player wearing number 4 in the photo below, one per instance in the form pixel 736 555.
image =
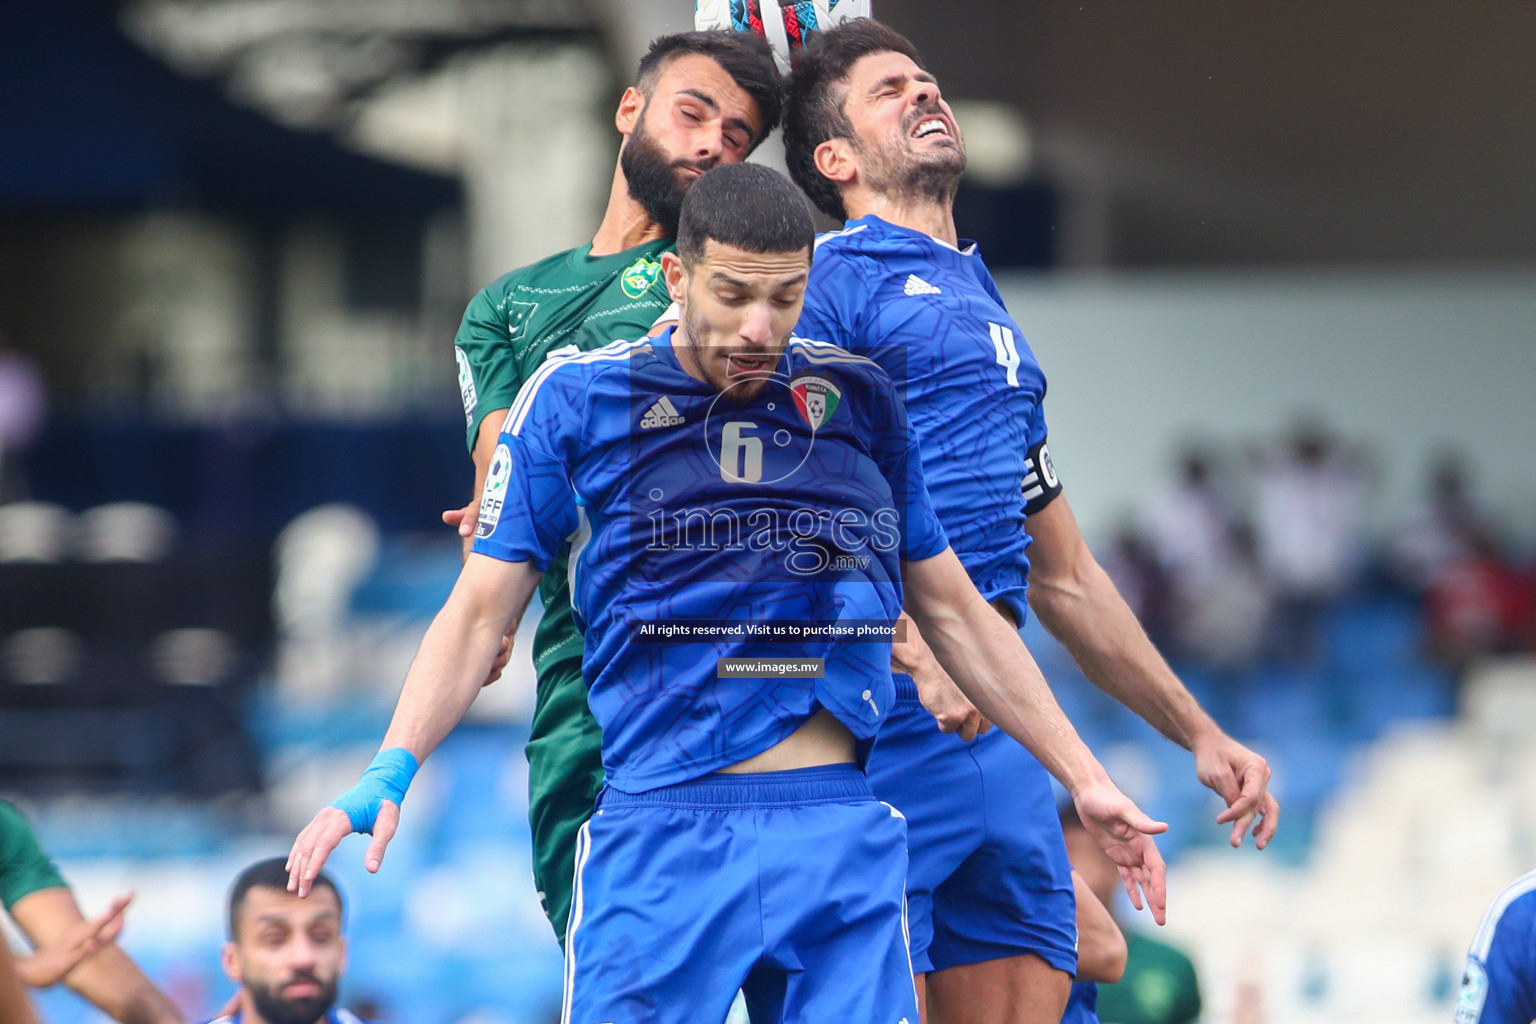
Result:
pixel 905 136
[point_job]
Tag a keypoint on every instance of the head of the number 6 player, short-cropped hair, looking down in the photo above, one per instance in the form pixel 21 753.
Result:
pixel 744 256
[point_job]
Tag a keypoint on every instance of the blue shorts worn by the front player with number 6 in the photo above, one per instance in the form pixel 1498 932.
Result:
pixel 789 887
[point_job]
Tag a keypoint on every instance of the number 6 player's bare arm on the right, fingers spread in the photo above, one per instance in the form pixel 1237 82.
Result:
pixel 993 669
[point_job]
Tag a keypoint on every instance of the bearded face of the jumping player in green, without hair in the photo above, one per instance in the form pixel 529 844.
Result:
pixel 694 119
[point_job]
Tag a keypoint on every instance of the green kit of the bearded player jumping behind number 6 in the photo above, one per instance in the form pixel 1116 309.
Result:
pixel 583 302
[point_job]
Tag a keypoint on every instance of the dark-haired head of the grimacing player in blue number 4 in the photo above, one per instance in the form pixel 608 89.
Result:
pixel 866 121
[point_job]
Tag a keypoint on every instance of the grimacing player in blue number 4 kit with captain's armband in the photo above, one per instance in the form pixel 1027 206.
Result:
pixel 872 142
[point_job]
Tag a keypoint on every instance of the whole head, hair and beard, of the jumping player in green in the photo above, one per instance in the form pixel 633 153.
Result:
pixel 700 99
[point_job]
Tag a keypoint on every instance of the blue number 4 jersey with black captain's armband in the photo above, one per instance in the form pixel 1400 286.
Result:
pixel 933 317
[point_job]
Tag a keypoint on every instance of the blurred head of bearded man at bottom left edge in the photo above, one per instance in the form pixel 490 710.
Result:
pixel 285 953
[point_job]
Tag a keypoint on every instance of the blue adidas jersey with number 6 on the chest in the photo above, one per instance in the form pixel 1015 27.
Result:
pixel 687 506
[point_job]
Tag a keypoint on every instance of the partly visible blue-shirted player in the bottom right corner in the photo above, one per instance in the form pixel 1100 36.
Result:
pixel 1500 985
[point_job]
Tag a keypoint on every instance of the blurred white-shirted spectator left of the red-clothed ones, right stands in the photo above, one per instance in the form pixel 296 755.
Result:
pixel 1308 506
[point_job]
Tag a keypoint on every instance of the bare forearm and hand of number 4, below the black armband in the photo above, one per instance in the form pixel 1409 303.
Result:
pixel 1081 606
